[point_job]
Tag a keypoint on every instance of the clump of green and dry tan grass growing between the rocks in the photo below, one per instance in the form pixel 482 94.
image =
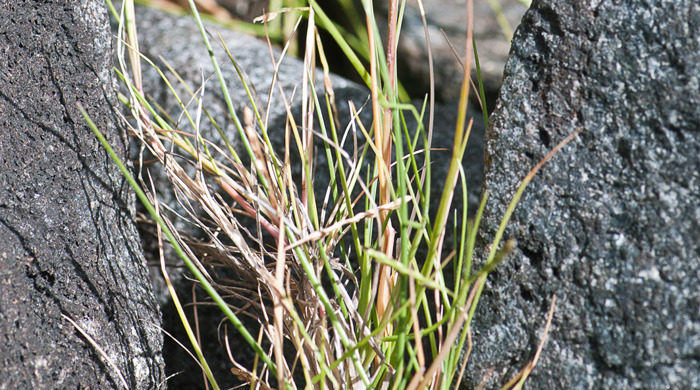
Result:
pixel 335 276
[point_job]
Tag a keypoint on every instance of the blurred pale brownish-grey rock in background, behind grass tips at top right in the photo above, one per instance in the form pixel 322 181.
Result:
pixel 493 43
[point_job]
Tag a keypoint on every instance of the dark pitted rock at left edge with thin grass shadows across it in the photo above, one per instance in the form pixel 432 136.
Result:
pixel 68 242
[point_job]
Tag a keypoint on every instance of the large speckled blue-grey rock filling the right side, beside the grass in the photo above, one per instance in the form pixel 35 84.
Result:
pixel 611 224
